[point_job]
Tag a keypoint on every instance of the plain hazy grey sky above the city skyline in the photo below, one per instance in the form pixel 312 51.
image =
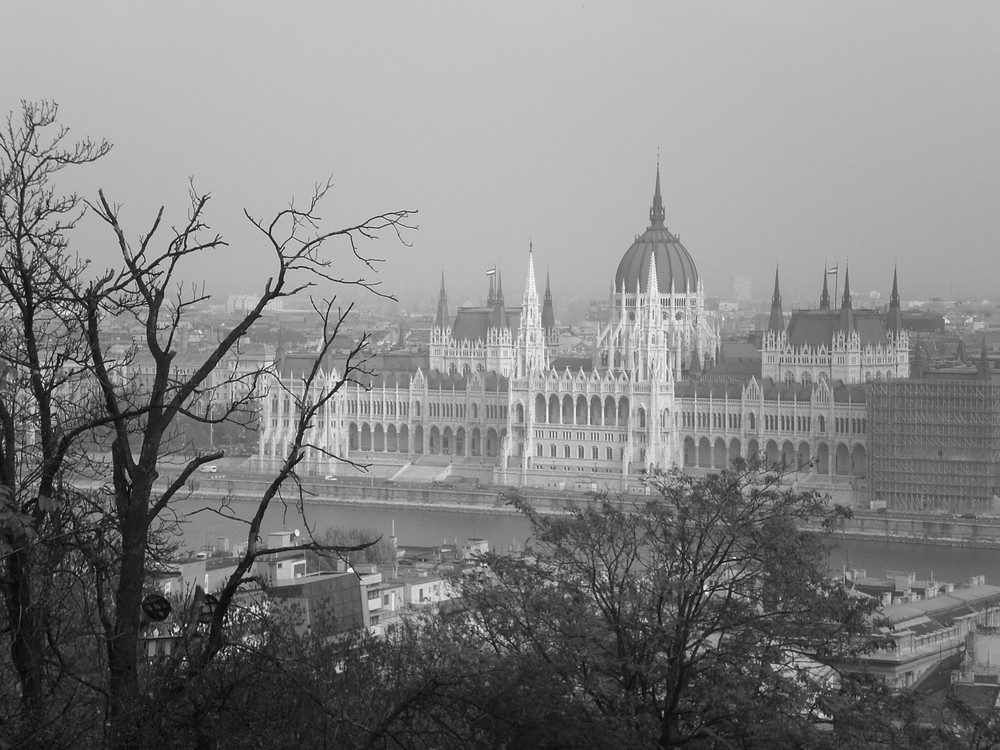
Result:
pixel 788 132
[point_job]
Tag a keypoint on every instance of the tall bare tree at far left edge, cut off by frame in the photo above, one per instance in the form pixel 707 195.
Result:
pixel 42 357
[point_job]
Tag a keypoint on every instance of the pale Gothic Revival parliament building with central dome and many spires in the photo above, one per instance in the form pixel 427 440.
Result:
pixel 493 396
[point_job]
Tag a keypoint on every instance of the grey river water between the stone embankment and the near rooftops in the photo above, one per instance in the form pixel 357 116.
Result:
pixel 504 532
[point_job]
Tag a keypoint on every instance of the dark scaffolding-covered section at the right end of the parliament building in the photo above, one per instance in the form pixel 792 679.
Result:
pixel 934 445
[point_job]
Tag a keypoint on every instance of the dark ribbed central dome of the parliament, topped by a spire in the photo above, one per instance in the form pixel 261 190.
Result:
pixel 675 270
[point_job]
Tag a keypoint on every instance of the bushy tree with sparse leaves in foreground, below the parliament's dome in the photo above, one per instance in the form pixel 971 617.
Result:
pixel 703 617
